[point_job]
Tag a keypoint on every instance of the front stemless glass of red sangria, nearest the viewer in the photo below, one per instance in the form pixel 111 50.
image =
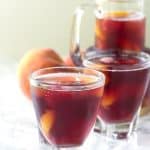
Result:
pixel 66 101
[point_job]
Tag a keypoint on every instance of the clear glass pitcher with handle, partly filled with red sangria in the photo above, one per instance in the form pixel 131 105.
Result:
pixel 116 24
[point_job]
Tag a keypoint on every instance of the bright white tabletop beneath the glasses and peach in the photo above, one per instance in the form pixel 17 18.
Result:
pixel 18 129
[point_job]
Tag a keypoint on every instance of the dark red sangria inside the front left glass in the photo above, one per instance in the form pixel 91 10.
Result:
pixel 67 116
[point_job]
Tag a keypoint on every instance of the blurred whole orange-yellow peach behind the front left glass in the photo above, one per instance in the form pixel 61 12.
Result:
pixel 33 60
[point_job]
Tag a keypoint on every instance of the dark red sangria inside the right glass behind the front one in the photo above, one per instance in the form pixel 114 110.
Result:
pixel 124 90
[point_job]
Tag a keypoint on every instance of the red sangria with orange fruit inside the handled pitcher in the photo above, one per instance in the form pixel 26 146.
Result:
pixel 120 31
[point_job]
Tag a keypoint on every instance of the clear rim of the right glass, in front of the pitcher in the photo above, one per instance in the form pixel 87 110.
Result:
pixel 119 68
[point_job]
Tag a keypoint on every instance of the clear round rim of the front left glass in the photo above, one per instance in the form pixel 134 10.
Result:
pixel 99 82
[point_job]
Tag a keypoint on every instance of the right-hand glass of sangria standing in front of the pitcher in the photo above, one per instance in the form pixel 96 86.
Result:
pixel 127 77
